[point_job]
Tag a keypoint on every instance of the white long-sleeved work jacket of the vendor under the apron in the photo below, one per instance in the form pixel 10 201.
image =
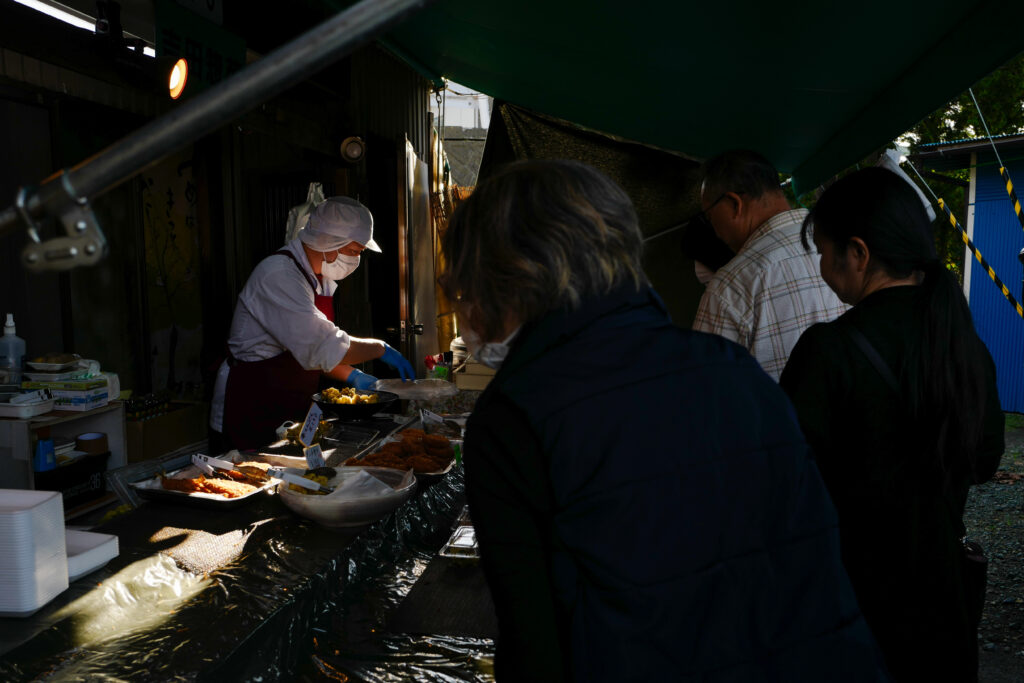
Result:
pixel 277 313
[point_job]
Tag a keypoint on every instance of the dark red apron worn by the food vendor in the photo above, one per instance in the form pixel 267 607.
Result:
pixel 263 395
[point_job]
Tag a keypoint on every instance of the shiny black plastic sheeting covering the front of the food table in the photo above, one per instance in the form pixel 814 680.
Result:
pixel 302 603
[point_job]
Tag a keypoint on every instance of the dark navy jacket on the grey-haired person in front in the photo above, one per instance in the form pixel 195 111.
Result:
pixel 648 510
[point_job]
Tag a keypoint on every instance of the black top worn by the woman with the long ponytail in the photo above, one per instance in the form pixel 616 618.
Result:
pixel 901 514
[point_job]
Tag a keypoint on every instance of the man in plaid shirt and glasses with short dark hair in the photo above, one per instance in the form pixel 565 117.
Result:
pixel 771 292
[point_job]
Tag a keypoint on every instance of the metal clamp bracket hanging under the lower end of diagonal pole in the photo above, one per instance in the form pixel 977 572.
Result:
pixel 84 244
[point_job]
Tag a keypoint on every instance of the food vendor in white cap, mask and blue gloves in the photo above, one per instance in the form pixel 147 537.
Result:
pixel 283 335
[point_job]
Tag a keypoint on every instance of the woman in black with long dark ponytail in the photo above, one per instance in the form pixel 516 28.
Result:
pixel 899 401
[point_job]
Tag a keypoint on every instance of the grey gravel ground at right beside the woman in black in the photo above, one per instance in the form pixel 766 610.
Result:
pixel 995 519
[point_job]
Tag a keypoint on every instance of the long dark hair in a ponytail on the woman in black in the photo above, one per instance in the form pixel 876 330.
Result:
pixel 945 382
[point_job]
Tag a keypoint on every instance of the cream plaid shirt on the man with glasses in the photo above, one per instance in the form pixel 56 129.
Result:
pixel 769 294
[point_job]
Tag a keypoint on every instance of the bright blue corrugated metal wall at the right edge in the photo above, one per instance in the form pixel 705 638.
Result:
pixel 1000 238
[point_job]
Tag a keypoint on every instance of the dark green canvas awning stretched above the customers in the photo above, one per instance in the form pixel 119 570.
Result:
pixel 816 87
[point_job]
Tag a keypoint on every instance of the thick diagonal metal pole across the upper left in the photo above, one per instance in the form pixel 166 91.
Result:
pixel 277 72
